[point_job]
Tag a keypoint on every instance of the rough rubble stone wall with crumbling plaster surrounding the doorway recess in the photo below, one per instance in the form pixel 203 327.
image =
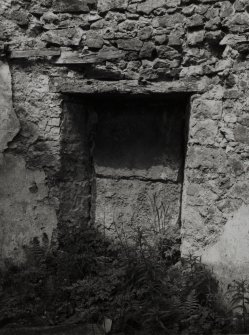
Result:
pixel 132 47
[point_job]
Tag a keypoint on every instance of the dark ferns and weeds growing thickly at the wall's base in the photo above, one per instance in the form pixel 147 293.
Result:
pixel 129 280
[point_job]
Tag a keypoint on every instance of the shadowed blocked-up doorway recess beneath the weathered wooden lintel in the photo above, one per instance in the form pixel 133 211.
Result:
pixel 122 160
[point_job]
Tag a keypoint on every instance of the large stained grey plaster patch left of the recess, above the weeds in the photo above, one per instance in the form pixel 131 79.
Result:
pixel 24 209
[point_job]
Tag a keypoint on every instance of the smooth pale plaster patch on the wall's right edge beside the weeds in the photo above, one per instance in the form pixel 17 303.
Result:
pixel 229 256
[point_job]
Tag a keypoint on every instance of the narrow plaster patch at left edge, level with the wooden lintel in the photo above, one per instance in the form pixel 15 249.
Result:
pixel 9 124
